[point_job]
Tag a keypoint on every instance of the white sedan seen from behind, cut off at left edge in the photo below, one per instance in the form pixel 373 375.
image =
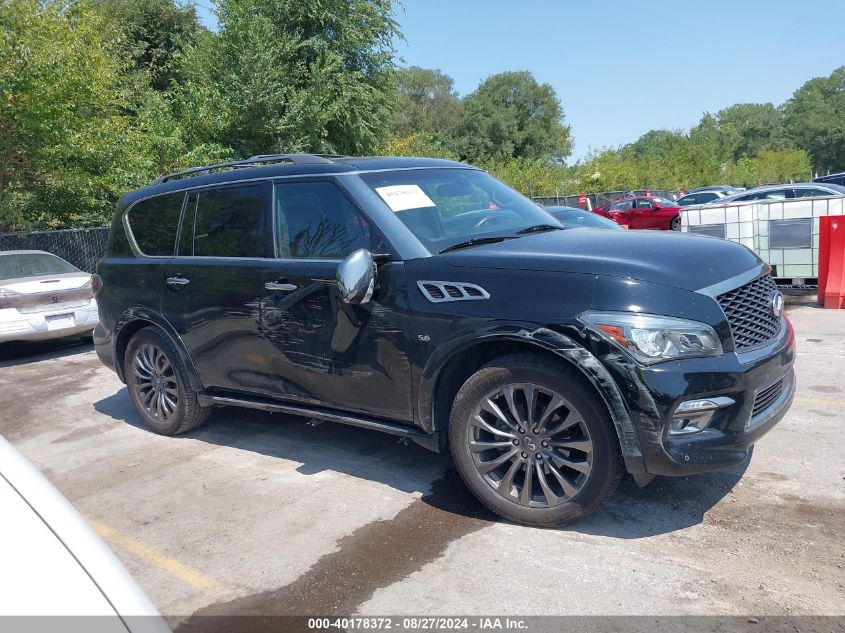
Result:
pixel 42 297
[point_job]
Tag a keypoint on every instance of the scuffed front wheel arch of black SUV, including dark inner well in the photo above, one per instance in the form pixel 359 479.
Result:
pixel 447 371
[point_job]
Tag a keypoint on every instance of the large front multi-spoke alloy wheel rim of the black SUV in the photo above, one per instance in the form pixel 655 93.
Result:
pixel 530 445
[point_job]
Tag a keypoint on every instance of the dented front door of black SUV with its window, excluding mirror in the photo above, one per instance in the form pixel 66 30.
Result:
pixel 324 351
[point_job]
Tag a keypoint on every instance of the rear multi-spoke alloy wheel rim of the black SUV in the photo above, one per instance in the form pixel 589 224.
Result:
pixel 154 383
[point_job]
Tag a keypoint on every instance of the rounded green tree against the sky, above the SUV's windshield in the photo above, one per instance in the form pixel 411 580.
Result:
pixel 511 115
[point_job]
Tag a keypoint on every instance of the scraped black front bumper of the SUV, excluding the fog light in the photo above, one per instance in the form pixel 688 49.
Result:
pixel 653 394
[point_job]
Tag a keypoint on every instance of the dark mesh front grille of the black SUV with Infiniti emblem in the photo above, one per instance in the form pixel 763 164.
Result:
pixel 750 314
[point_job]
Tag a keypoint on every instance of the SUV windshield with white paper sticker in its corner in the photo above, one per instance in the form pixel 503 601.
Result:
pixel 445 207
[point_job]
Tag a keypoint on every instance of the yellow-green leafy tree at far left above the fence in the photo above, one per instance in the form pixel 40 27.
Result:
pixel 66 148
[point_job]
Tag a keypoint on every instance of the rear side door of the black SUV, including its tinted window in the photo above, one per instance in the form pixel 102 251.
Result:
pixel 213 285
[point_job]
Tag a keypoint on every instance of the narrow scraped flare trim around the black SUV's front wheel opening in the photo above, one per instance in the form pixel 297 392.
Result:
pixel 558 343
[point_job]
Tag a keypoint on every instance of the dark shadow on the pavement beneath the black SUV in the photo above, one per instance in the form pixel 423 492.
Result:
pixel 666 505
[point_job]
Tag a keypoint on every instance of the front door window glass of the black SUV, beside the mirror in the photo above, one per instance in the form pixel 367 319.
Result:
pixel 315 220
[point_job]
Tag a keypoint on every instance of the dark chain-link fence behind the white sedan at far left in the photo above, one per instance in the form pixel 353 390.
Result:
pixel 81 247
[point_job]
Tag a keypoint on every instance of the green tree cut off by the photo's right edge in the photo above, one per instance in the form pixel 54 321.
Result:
pixel 814 118
